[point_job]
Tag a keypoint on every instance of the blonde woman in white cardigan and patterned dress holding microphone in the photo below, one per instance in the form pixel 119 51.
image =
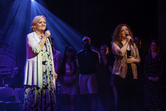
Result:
pixel 40 76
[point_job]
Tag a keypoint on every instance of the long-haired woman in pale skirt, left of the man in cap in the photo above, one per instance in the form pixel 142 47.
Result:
pixel 69 83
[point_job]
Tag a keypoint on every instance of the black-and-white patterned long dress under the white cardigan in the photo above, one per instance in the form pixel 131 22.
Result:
pixel 42 99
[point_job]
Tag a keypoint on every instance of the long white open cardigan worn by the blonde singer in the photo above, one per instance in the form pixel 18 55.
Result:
pixel 33 66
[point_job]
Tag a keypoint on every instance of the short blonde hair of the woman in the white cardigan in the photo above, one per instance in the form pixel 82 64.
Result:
pixel 35 20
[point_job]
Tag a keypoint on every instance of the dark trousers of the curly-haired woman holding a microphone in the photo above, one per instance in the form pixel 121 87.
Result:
pixel 125 89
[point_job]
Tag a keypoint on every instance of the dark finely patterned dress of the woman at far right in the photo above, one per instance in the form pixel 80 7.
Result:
pixel 154 91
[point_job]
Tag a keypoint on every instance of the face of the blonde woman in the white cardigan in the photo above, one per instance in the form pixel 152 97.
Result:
pixel 41 25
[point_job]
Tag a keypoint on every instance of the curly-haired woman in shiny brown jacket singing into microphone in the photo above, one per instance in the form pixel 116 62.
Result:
pixel 125 69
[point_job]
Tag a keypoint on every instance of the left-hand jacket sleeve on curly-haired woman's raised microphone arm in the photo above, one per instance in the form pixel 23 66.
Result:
pixel 116 50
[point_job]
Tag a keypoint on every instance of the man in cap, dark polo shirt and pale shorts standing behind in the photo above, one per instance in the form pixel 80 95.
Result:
pixel 88 60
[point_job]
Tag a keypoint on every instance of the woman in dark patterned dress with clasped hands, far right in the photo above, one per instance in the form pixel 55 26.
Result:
pixel 154 79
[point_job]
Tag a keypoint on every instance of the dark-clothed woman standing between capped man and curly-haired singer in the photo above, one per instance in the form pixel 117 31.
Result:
pixel 106 100
